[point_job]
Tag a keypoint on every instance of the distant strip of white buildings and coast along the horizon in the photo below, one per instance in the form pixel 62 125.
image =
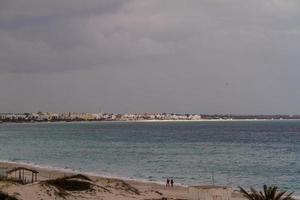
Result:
pixel 73 116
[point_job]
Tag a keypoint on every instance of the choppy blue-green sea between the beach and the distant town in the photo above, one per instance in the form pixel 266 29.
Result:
pixel 231 153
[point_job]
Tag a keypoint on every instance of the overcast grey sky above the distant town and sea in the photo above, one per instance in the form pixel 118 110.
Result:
pixel 179 56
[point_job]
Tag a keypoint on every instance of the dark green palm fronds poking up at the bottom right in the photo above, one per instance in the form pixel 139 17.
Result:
pixel 268 193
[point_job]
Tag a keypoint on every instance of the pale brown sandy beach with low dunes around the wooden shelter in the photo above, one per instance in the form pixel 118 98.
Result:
pixel 101 188
